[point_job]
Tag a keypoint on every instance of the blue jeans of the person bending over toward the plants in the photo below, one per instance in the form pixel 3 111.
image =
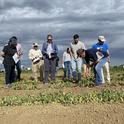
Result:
pixel 99 70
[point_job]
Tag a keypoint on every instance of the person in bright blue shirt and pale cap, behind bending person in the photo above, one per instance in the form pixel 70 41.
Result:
pixel 102 45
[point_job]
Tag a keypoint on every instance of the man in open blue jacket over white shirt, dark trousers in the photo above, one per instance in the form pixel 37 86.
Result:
pixel 49 51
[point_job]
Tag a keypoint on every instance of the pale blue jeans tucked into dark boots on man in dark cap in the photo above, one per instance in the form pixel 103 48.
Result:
pixel 76 68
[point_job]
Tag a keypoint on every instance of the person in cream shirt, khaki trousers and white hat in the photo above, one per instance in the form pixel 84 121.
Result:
pixel 37 62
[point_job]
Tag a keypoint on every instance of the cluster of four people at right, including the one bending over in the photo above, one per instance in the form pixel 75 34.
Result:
pixel 97 57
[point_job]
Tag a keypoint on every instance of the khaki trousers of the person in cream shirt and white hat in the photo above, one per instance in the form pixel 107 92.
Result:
pixel 37 70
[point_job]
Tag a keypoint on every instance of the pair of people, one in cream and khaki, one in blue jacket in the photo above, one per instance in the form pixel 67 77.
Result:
pixel 44 60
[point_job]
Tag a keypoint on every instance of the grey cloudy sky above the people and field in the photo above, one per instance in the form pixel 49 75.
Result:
pixel 32 20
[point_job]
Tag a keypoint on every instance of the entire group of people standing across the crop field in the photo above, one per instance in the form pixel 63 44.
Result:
pixel 44 60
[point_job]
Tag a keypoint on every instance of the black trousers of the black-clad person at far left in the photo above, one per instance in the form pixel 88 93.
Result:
pixel 9 73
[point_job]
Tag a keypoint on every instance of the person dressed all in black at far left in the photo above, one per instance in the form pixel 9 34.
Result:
pixel 8 52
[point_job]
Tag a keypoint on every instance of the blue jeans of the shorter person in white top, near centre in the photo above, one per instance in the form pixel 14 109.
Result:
pixel 67 69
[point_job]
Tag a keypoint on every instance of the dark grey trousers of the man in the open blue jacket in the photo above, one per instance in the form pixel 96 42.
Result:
pixel 49 68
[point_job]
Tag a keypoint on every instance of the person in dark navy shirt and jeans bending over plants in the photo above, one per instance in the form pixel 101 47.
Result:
pixel 91 58
